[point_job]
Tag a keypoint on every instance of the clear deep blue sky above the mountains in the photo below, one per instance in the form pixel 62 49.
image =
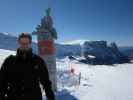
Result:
pixel 110 20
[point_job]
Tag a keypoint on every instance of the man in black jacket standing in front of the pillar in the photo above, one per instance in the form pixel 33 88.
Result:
pixel 21 75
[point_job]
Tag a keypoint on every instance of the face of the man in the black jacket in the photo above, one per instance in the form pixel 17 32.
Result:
pixel 24 43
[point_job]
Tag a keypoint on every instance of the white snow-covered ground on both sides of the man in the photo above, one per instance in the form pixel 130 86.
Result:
pixel 100 82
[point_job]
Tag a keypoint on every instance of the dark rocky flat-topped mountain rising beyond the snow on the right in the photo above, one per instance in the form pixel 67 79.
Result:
pixel 103 53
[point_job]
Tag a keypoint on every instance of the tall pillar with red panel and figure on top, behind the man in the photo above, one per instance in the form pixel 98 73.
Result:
pixel 46 34
